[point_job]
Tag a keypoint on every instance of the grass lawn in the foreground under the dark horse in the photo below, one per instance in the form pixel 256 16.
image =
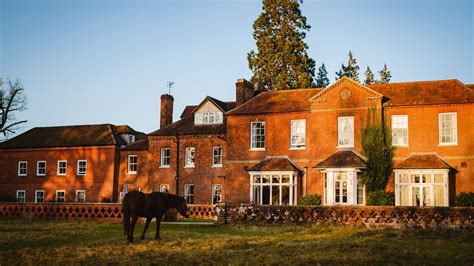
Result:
pixel 39 242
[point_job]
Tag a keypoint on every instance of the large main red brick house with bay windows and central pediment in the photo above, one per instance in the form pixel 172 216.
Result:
pixel 273 147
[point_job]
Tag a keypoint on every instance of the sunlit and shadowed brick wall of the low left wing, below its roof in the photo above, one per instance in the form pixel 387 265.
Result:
pixel 98 181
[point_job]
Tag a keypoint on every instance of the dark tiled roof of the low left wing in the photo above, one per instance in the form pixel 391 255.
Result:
pixel 65 136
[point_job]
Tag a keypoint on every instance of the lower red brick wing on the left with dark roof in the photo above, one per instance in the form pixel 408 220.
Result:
pixel 67 163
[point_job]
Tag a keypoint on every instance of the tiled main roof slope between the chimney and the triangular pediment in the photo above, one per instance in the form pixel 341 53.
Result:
pixel 277 101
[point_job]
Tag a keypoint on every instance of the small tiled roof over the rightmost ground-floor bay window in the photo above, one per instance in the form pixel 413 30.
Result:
pixel 423 161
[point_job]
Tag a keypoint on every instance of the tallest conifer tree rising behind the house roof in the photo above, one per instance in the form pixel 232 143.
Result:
pixel 281 60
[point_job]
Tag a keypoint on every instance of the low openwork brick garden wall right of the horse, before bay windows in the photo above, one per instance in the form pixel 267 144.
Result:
pixel 373 216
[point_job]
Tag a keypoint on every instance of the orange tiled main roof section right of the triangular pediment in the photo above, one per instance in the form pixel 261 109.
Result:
pixel 424 92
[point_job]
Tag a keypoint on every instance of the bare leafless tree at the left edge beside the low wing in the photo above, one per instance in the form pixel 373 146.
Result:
pixel 12 100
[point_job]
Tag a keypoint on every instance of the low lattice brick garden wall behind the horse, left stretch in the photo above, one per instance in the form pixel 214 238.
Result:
pixel 86 211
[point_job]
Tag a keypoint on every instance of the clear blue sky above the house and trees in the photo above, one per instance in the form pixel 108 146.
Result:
pixel 108 61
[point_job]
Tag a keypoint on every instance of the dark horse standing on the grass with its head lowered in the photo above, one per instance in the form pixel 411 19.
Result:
pixel 137 204
